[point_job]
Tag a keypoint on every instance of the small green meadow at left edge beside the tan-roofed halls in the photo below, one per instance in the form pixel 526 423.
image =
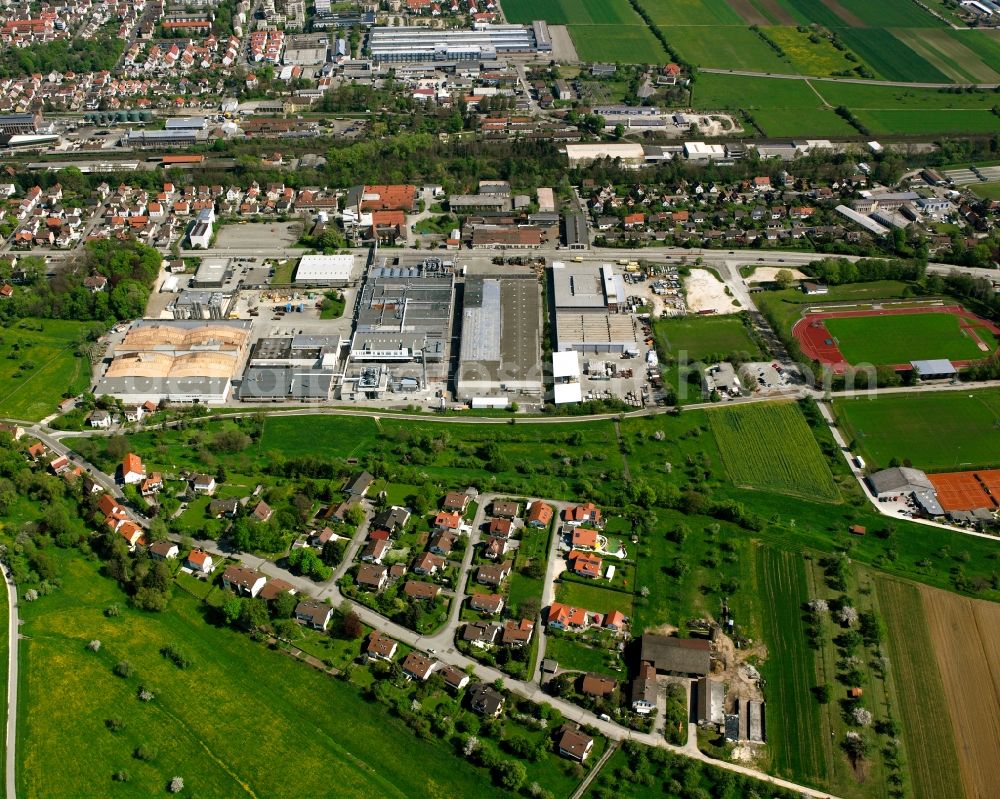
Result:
pixel 53 369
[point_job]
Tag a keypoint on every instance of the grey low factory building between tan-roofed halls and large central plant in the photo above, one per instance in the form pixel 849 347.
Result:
pixel 297 368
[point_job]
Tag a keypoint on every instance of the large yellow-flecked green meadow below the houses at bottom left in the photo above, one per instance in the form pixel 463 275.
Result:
pixel 243 721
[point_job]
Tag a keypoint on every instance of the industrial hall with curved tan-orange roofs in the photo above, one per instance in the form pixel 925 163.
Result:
pixel 180 361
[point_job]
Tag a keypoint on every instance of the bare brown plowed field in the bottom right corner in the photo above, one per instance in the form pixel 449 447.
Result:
pixel 966 642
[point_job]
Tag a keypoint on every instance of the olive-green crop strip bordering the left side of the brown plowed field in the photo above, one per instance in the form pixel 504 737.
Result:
pixel 920 699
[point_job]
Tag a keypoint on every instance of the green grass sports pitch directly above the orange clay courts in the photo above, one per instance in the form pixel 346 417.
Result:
pixel 943 431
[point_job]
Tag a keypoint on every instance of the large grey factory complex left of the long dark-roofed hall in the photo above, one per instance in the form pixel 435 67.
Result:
pixel 403 319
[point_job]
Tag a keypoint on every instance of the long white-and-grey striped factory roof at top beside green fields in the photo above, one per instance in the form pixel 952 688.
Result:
pixel 482 43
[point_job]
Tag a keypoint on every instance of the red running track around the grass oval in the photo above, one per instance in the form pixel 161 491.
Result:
pixel 819 344
